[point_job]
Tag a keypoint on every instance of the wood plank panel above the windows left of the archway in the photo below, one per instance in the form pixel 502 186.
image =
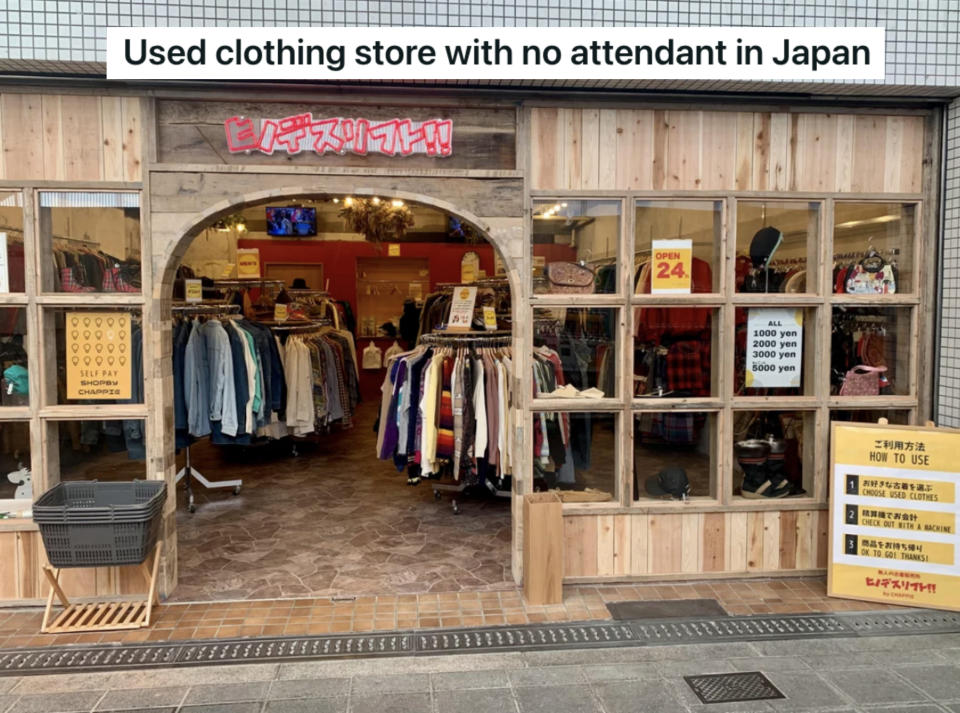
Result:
pixel 56 137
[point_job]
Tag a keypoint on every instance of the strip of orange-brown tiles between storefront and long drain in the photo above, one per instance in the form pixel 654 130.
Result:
pixel 289 617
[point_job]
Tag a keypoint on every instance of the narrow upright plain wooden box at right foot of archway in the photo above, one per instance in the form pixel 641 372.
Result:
pixel 542 549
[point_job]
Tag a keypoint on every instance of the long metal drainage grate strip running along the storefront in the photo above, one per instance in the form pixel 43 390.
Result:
pixel 105 657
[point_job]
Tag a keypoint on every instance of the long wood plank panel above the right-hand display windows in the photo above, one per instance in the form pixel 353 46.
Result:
pixel 652 150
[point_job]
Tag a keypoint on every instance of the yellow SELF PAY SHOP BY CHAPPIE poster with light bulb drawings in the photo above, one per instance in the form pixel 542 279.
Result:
pixel 99 355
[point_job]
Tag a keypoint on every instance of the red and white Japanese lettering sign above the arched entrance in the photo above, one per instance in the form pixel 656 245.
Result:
pixel 301 132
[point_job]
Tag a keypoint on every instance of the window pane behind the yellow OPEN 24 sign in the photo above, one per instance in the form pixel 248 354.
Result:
pixel 700 222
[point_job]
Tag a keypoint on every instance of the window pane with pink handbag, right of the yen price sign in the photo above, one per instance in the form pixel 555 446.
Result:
pixel 865 340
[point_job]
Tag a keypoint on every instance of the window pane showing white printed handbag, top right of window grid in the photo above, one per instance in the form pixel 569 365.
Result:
pixel 873 247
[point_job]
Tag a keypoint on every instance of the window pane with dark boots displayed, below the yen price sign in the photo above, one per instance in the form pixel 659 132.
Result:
pixel 771 456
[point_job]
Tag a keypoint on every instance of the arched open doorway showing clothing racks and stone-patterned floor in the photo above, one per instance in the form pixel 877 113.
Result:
pixel 325 508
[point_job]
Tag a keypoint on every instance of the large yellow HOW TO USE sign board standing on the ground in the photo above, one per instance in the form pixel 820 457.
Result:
pixel 893 515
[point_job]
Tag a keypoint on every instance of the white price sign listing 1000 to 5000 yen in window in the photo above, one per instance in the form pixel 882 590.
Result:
pixel 774 348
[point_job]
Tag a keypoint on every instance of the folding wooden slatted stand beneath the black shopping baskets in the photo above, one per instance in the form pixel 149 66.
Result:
pixel 102 616
